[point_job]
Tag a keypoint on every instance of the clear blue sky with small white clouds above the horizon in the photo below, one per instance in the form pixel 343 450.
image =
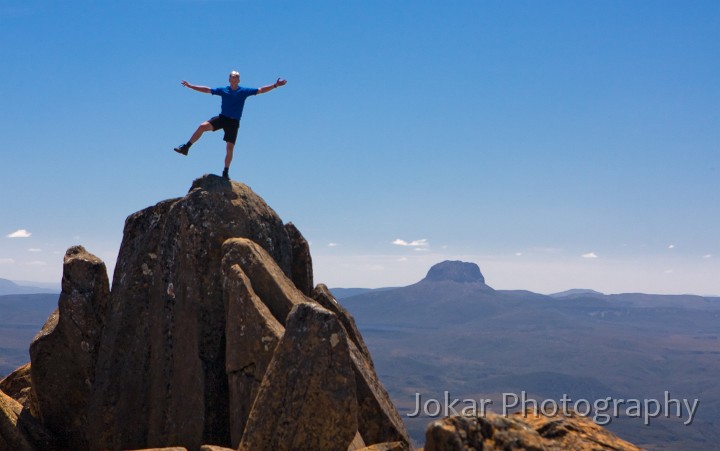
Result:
pixel 557 144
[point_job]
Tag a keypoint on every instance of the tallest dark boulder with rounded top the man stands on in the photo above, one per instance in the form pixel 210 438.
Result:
pixel 165 337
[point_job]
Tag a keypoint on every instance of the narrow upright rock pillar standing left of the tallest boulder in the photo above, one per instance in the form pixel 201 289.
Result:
pixel 64 353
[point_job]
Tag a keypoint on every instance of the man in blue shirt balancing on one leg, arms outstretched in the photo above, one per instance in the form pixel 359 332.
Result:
pixel 233 102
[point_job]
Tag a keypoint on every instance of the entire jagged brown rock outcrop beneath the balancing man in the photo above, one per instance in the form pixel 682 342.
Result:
pixel 190 349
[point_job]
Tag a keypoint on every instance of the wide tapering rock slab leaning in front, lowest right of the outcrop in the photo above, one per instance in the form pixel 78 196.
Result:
pixel 307 398
